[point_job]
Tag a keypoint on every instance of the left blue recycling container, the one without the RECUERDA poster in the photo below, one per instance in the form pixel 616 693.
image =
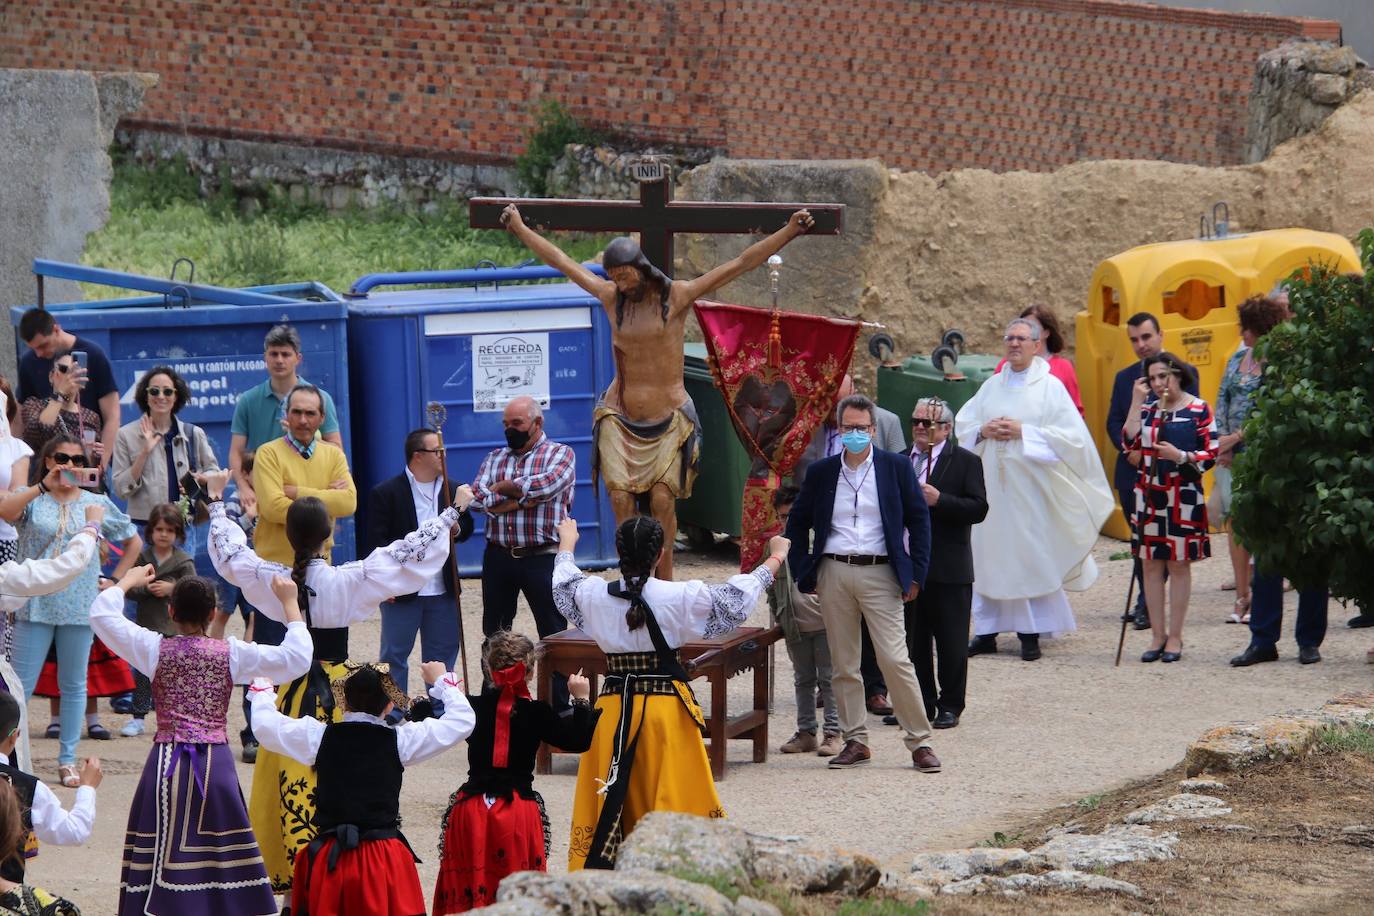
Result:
pixel 214 339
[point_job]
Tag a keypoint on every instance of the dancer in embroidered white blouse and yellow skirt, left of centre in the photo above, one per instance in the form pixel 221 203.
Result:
pixel 282 805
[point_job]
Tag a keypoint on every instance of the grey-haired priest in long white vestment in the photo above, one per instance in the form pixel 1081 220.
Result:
pixel 1048 499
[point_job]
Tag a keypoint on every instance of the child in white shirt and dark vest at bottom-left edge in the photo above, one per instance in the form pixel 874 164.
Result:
pixel 45 819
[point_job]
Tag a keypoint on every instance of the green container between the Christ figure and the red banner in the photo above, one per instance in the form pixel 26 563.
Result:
pixel 717 503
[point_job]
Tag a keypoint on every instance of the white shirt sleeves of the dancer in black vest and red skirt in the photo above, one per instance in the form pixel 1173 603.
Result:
pixel 416 742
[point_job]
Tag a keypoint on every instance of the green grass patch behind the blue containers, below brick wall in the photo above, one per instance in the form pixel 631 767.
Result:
pixel 157 215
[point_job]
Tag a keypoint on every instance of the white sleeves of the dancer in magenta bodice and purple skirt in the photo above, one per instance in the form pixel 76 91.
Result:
pixel 142 648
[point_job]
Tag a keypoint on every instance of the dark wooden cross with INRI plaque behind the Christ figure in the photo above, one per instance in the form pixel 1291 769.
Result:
pixel 656 216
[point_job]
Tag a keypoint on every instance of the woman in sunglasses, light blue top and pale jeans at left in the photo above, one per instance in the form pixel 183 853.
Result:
pixel 47 524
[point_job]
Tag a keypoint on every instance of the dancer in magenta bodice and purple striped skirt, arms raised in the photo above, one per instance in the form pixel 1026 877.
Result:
pixel 189 848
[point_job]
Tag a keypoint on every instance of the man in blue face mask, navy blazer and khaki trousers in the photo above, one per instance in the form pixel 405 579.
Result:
pixel 861 540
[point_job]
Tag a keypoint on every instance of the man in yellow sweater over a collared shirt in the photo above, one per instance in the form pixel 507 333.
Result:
pixel 299 465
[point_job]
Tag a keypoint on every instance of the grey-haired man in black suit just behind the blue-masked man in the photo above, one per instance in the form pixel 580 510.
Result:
pixel 951 481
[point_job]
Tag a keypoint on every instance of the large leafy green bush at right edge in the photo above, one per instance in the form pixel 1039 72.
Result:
pixel 1305 485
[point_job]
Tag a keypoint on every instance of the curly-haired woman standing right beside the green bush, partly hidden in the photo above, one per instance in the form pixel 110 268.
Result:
pixel 1235 402
